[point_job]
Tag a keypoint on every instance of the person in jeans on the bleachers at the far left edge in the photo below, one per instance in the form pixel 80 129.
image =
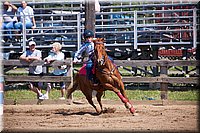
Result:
pixel 9 19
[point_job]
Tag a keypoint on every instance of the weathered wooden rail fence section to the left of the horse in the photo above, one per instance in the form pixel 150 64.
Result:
pixel 9 64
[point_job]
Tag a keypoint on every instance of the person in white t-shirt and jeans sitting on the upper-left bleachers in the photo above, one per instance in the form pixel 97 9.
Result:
pixel 25 12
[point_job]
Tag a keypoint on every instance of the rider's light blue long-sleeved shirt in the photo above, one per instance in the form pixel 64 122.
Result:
pixel 87 48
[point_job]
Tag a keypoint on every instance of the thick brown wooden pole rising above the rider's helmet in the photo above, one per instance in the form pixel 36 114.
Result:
pixel 90 15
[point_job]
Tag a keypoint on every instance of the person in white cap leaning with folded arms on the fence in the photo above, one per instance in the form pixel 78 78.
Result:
pixel 29 55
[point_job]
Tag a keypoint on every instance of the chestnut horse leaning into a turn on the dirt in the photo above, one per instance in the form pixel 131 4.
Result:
pixel 108 75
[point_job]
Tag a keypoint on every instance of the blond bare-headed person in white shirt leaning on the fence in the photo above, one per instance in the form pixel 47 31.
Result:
pixel 56 54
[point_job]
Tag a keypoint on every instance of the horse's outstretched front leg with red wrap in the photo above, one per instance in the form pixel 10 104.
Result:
pixel 123 99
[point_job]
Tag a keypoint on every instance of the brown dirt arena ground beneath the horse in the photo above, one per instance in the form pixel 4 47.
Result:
pixel 172 116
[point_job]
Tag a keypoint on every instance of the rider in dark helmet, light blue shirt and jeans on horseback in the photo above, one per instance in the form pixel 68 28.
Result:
pixel 88 50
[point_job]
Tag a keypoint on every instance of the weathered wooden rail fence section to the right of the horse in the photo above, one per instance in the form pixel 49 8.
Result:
pixel 162 76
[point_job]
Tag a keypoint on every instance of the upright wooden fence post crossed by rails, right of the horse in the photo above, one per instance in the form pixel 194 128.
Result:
pixel 163 85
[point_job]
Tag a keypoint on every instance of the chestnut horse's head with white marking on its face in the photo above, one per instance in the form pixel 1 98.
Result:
pixel 99 51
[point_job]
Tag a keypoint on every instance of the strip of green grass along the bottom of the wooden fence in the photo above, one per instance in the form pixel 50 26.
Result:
pixel 191 95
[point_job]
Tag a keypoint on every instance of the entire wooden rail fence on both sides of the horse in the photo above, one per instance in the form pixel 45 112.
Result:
pixel 162 76
